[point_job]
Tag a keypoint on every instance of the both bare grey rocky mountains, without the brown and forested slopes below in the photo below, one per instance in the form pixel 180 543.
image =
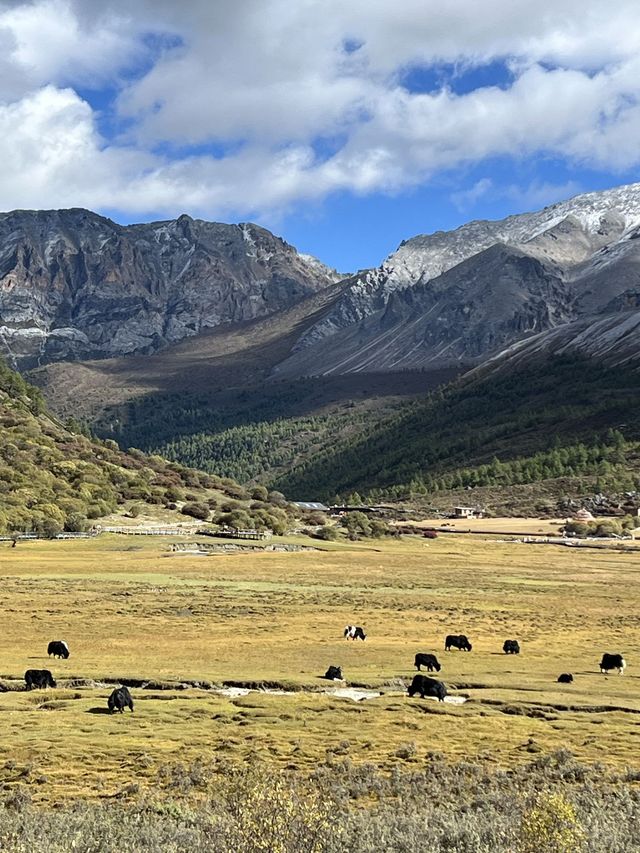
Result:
pixel 74 285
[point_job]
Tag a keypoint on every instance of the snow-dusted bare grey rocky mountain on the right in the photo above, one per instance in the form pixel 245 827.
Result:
pixel 457 297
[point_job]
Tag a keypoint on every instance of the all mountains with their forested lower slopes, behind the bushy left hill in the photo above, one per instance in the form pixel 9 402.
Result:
pixel 476 350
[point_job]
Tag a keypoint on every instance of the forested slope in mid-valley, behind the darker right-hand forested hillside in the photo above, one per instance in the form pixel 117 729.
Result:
pixel 258 432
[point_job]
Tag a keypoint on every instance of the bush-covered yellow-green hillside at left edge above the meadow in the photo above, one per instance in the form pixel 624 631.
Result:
pixel 53 478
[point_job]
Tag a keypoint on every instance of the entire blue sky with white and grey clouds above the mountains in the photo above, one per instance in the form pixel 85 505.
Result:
pixel 342 125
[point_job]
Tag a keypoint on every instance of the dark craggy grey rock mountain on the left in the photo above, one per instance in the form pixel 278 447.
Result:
pixel 76 285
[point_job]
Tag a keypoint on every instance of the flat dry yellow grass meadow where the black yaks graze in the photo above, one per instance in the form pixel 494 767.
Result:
pixel 128 608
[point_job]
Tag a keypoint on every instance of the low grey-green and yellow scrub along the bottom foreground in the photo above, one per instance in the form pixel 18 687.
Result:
pixel 552 804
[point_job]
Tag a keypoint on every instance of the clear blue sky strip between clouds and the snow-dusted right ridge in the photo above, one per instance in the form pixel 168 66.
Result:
pixel 351 232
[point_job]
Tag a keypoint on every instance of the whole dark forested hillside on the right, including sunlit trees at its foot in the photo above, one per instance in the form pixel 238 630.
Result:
pixel 568 418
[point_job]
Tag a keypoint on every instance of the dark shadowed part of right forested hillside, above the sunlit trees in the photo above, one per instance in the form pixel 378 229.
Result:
pixel 512 414
